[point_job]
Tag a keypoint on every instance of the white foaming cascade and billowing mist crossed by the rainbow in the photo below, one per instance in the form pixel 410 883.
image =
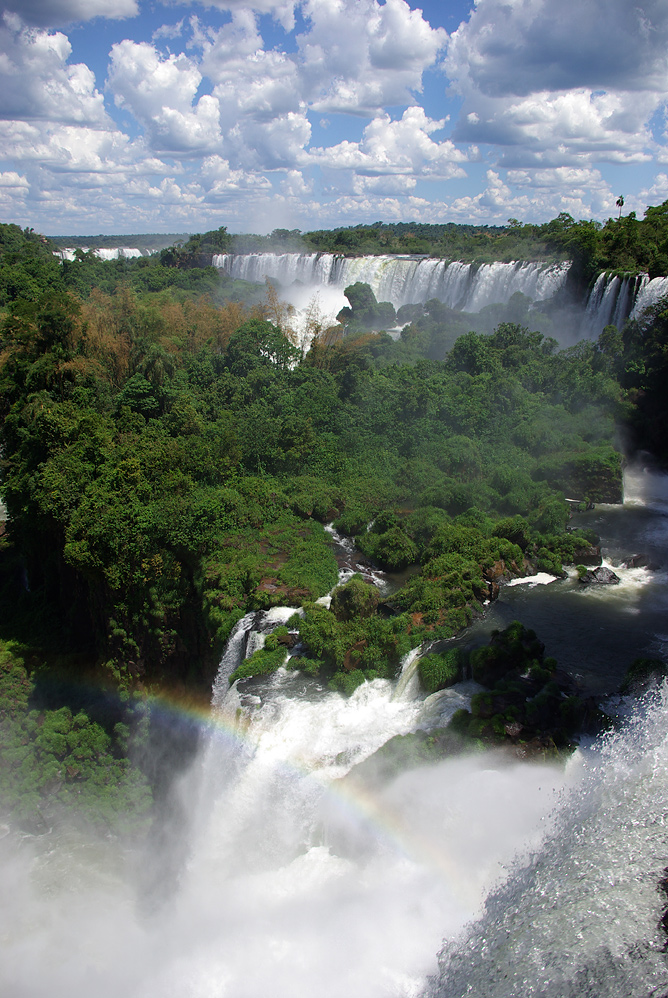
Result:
pixel 293 882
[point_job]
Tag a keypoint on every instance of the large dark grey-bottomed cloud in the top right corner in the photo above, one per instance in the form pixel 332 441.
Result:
pixel 561 85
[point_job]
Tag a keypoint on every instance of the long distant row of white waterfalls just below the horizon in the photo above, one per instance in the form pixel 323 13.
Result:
pixel 403 280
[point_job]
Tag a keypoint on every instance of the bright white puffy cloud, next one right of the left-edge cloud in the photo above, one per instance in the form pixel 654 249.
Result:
pixel 160 93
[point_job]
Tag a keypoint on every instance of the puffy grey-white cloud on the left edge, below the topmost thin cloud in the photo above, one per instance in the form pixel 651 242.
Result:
pixel 37 83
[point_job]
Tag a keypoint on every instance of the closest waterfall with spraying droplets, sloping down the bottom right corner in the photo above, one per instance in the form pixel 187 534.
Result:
pixel 582 917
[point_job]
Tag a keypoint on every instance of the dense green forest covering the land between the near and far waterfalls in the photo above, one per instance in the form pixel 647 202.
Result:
pixel 170 459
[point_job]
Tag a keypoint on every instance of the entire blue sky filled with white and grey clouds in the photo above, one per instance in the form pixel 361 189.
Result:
pixel 129 116
